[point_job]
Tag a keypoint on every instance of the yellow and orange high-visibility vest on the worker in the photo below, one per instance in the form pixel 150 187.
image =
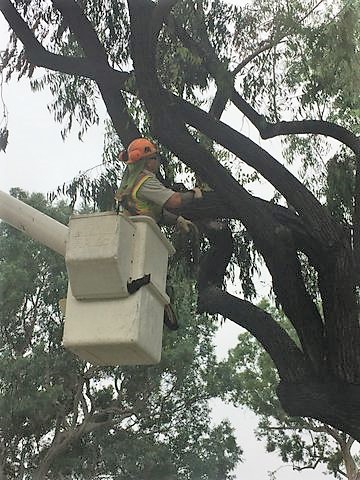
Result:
pixel 135 206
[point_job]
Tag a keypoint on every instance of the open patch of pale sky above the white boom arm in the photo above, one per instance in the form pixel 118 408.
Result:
pixel 37 159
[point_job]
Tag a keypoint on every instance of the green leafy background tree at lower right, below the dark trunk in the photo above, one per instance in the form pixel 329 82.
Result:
pixel 303 443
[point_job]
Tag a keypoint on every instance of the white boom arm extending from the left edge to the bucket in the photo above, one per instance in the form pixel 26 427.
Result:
pixel 33 223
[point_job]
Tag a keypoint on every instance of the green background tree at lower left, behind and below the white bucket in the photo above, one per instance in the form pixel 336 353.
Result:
pixel 62 418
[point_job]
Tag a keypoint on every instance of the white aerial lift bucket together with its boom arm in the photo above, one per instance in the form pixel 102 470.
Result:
pixel 117 269
